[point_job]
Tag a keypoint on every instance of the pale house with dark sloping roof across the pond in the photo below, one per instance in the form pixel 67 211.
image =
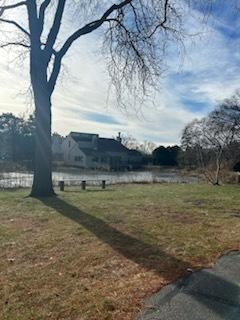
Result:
pixel 89 151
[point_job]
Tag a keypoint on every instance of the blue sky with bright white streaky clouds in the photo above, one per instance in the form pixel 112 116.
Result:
pixel 194 82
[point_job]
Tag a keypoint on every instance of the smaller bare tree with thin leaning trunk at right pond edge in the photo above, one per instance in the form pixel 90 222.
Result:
pixel 210 138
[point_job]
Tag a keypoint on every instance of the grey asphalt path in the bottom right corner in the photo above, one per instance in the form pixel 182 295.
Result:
pixel 210 294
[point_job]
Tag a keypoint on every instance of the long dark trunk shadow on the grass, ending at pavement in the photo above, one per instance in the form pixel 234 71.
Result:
pixel 148 256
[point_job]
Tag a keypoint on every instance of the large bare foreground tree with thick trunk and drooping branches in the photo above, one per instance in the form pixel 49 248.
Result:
pixel 135 34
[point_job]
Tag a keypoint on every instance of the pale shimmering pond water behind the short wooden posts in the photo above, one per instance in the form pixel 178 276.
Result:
pixel 19 179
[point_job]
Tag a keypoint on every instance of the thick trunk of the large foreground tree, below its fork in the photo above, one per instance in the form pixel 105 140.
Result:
pixel 42 181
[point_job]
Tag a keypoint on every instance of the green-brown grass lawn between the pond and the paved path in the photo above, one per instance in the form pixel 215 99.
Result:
pixel 95 254
